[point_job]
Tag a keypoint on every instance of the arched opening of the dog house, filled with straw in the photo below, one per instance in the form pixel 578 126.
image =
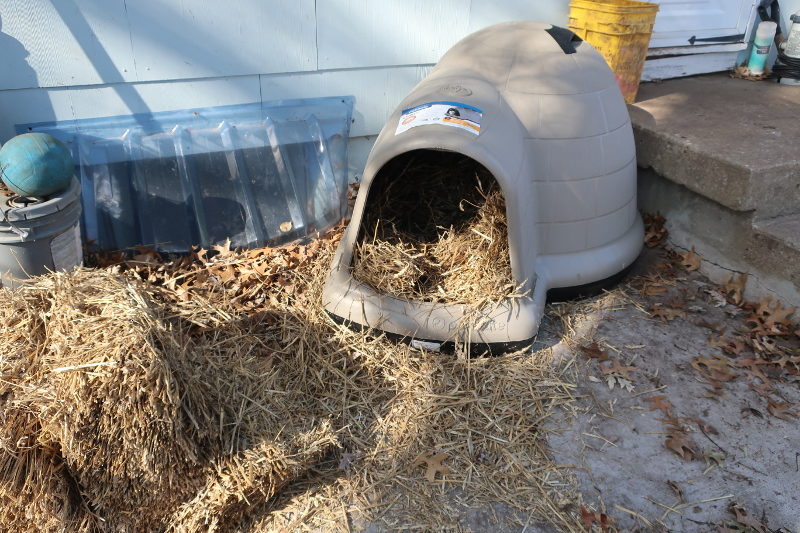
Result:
pixel 434 230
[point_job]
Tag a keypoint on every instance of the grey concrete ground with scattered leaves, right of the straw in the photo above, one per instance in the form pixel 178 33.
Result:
pixel 736 450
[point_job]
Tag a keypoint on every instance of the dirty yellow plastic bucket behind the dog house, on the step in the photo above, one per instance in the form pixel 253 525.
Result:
pixel 620 30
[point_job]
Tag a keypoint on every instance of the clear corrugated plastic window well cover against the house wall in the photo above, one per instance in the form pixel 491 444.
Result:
pixel 256 174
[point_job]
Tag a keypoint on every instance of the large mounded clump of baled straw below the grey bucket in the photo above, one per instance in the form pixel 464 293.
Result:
pixel 106 387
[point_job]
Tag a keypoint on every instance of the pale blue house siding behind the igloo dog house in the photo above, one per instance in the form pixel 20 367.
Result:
pixel 75 59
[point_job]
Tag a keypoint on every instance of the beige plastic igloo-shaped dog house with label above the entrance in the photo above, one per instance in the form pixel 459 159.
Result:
pixel 541 110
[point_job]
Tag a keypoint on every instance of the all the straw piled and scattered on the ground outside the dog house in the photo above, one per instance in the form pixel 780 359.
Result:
pixel 212 393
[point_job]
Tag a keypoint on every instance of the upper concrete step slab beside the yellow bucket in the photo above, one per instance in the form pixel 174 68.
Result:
pixel 735 142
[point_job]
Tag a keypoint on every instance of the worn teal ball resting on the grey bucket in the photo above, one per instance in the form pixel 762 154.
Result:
pixel 36 164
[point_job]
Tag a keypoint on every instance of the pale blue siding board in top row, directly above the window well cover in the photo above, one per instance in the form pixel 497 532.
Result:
pixel 211 38
